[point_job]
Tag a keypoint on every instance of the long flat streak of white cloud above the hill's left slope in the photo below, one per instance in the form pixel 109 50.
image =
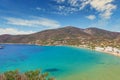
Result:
pixel 34 22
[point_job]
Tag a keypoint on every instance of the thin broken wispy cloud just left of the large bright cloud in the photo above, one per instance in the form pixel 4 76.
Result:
pixel 63 9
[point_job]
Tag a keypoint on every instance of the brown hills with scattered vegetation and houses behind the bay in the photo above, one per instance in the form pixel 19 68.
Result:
pixel 64 36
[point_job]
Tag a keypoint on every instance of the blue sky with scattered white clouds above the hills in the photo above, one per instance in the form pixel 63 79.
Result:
pixel 30 16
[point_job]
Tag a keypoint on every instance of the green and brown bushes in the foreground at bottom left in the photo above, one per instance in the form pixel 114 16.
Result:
pixel 29 75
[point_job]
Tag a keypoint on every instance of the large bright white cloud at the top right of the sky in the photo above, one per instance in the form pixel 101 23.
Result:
pixel 105 7
